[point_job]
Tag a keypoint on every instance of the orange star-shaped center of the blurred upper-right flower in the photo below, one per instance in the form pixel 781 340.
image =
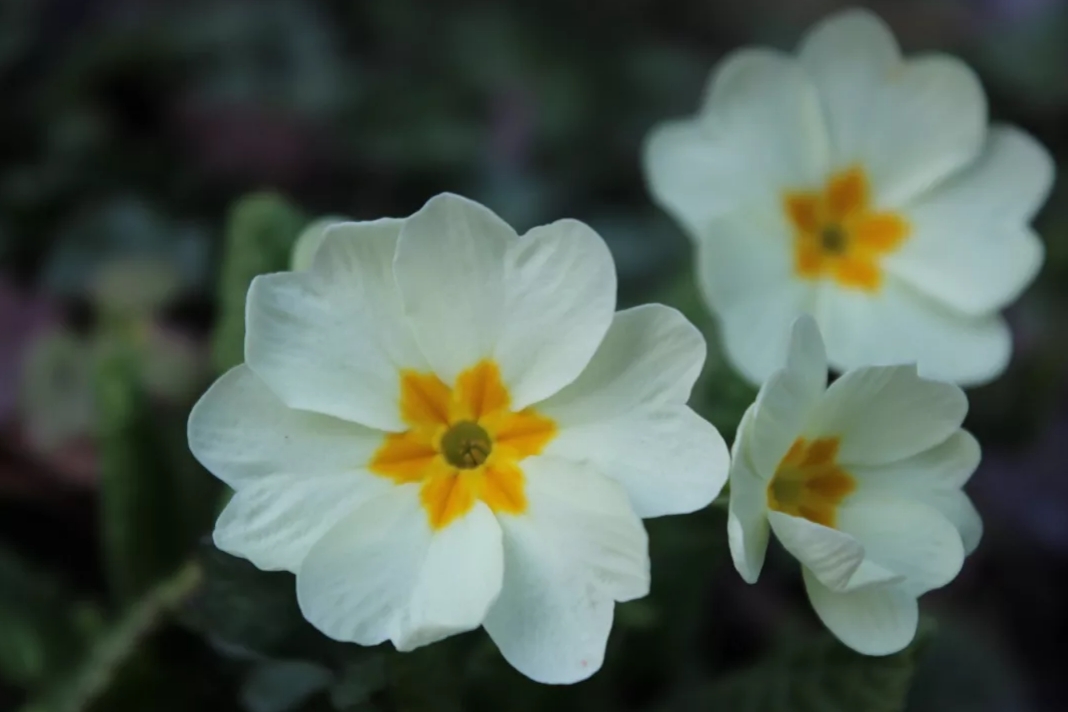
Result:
pixel 839 234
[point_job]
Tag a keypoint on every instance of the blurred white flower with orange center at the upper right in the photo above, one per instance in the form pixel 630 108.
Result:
pixel 862 188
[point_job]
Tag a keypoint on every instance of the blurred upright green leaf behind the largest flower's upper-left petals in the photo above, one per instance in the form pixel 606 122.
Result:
pixel 261 234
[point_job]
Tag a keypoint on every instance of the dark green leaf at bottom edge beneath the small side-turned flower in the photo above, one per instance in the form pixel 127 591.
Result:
pixel 819 675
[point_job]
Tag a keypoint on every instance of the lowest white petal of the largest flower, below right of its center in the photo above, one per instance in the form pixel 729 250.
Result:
pixel 578 549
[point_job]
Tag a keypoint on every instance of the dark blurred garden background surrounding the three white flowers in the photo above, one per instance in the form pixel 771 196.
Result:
pixel 156 154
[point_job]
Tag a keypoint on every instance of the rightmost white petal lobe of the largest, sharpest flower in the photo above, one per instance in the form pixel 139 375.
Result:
pixel 670 460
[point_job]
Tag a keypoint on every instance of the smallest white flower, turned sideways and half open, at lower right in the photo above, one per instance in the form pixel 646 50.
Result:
pixel 862 483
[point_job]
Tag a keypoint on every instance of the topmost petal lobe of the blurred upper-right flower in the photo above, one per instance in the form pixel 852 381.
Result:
pixel 850 55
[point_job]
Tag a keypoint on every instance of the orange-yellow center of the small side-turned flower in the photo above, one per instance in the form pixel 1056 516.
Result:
pixel 809 483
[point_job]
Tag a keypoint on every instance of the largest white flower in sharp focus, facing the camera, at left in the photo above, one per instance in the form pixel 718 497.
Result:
pixel 443 425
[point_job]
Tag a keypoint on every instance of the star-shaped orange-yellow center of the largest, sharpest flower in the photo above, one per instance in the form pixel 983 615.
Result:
pixel 464 445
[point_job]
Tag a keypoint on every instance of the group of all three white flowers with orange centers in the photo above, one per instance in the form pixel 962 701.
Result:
pixel 442 425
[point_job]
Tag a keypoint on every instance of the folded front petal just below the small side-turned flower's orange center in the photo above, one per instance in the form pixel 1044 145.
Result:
pixel 835 558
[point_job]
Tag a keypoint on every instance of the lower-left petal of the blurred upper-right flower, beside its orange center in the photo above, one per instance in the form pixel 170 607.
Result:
pixel 746 273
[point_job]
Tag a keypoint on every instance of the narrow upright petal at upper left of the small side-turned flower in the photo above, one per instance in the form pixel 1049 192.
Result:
pixel 786 402
